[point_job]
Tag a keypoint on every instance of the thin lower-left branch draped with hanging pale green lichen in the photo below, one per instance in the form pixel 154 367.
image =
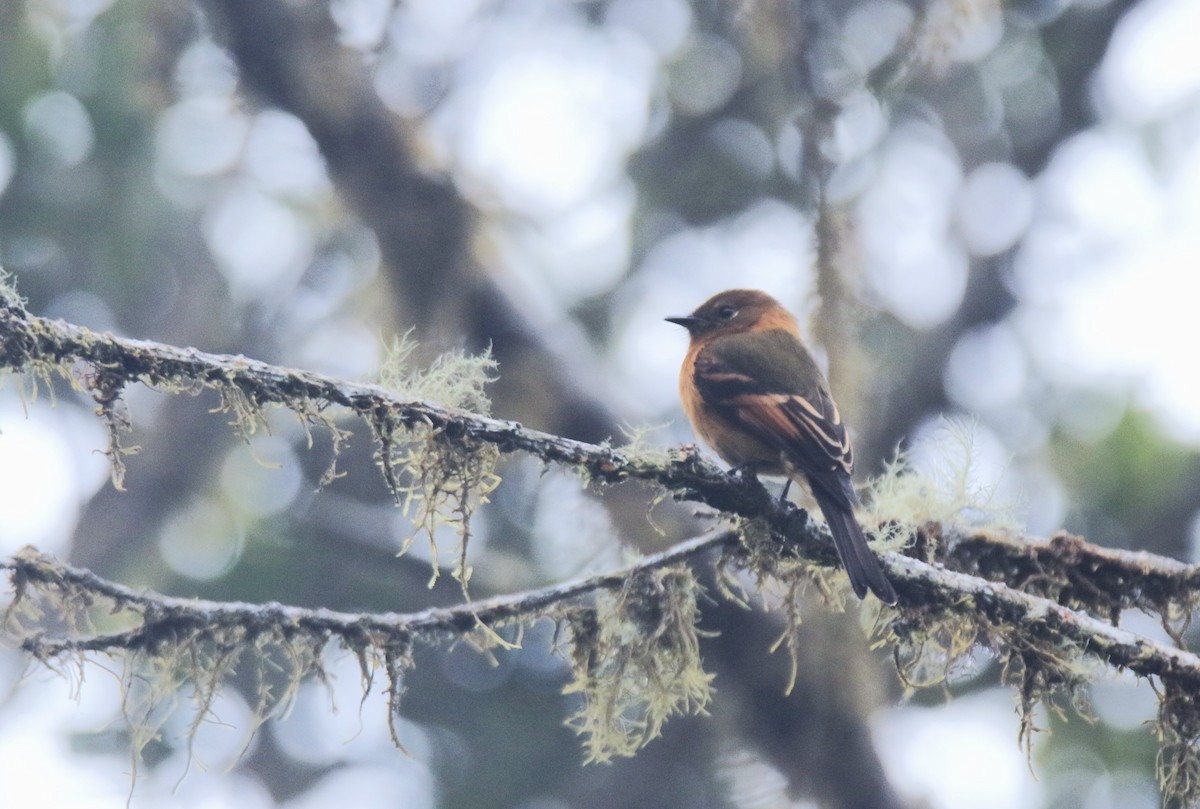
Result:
pixel 629 690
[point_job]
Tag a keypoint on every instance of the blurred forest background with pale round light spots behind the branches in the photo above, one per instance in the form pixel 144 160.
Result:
pixel 1013 190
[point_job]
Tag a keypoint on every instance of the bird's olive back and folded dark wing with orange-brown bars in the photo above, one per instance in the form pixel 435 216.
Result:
pixel 769 383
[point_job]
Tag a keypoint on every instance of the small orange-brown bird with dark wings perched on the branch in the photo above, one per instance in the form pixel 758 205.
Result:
pixel 755 395
